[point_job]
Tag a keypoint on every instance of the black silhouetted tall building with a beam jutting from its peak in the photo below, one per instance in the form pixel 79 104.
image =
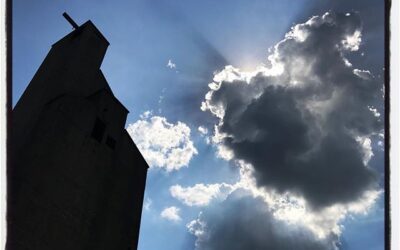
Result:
pixel 75 178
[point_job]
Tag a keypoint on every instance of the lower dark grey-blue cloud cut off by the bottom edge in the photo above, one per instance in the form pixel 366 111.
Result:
pixel 243 222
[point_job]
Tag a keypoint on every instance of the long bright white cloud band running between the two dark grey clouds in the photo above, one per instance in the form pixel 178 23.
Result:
pixel 288 208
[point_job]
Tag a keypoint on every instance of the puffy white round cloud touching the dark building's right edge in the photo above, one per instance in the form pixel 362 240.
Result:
pixel 163 144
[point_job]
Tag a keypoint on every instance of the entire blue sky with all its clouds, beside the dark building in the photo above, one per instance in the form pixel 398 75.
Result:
pixel 261 120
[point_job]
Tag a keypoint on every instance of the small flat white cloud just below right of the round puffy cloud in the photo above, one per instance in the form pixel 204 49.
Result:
pixel 200 194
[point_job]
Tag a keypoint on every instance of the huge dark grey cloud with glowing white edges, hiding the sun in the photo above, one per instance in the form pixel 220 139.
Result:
pixel 302 129
